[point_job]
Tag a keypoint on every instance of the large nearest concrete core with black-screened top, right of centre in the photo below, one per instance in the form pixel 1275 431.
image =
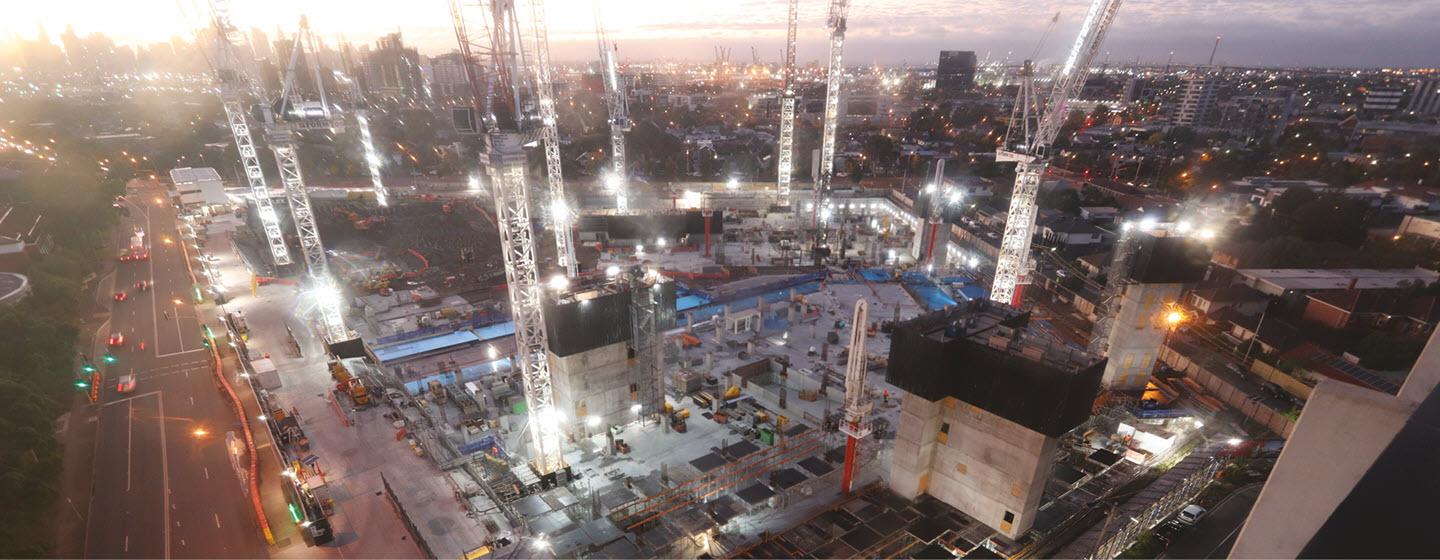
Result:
pixel 983 408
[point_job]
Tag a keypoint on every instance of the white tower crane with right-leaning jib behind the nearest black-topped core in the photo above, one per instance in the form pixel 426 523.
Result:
pixel 1032 155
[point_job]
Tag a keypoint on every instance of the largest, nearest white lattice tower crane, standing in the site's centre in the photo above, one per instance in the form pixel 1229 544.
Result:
pixel 506 130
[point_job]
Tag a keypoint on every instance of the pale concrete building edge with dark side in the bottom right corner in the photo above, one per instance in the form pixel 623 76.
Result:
pixel 1357 474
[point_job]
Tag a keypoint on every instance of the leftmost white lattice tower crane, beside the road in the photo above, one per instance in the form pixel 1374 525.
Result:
pixel 234 81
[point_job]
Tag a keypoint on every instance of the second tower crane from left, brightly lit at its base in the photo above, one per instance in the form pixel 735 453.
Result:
pixel 296 114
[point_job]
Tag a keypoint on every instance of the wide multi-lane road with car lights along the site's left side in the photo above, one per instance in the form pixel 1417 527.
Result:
pixel 163 482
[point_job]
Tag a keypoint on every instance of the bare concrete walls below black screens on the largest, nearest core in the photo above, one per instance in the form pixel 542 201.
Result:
pixel 991 469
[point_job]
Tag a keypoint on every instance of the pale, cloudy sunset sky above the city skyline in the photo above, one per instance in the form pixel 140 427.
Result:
pixel 1256 32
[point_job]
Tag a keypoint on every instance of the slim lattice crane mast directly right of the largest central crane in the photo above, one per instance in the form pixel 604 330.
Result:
pixel 551 140
